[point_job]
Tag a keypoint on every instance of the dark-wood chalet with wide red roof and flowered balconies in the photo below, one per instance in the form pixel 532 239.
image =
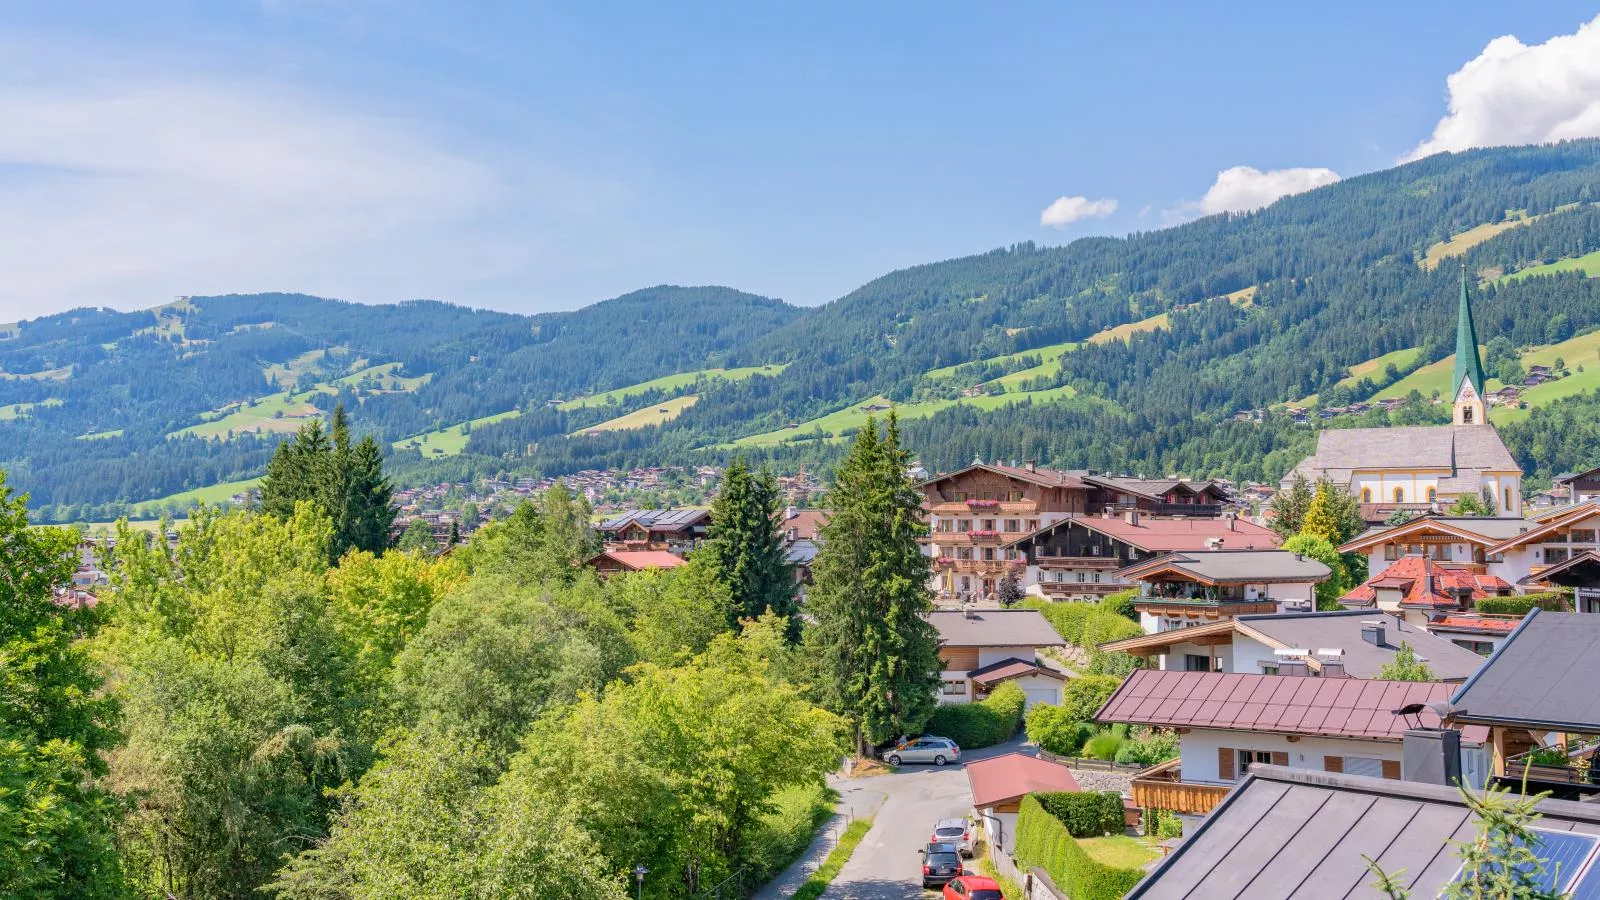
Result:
pixel 1079 558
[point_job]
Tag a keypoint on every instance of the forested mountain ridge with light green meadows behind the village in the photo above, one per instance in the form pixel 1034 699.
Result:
pixel 1234 313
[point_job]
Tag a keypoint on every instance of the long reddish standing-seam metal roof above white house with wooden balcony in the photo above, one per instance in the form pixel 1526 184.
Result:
pixel 1294 705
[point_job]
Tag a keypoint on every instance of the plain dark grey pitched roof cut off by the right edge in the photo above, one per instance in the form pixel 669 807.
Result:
pixel 1542 677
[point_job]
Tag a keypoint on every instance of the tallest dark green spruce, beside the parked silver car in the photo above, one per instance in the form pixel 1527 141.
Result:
pixel 876 653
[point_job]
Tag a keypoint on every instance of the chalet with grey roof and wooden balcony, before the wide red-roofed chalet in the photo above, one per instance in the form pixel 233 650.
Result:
pixel 1182 590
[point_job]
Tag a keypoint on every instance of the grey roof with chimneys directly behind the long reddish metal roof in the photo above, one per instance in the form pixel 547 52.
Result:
pixel 1343 632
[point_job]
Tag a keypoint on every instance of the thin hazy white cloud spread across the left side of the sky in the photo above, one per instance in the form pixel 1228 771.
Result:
pixel 129 191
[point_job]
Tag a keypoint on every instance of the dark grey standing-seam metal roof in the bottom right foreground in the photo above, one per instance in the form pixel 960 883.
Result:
pixel 1303 834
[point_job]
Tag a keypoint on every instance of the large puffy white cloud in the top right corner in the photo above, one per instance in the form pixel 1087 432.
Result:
pixel 1514 94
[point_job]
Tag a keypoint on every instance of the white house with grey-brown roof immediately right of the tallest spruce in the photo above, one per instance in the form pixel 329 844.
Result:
pixel 985 649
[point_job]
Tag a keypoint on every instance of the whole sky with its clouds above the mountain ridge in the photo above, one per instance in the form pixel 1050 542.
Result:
pixel 546 159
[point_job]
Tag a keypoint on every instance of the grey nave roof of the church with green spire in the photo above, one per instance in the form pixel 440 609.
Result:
pixel 1462 449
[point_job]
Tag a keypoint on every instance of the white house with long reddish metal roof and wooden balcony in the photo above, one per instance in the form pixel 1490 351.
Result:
pixel 1228 723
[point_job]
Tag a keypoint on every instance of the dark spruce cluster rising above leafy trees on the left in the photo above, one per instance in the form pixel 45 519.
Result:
pixel 345 481
